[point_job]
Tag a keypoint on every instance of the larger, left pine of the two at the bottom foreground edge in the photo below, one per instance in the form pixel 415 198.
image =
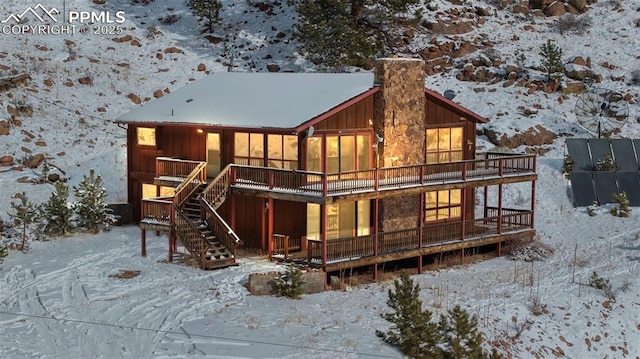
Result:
pixel 412 330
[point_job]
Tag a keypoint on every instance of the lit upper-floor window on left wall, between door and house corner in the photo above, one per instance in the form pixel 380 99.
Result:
pixel 281 150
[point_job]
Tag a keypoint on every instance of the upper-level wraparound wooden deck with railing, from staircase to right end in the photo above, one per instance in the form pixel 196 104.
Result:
pixel 321 188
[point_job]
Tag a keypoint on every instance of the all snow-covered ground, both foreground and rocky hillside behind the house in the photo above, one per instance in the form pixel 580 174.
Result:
pixel 59 299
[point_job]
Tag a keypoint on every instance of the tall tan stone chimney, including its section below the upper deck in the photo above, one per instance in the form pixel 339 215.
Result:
pixel 399 111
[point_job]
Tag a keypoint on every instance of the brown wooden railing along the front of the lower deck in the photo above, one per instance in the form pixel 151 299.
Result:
pixel 344 249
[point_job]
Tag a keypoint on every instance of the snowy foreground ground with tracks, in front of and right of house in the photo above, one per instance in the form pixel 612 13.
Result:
pixel 60 300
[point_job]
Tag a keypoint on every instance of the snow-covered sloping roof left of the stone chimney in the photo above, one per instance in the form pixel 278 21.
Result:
pixel 253 100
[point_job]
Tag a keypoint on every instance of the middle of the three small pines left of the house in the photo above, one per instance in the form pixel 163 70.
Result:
pixel 56 211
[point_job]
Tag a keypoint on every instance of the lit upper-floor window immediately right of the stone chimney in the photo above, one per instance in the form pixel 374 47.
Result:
pixel 444 144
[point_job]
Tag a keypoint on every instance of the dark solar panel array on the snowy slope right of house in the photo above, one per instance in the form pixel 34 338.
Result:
pixel 589 185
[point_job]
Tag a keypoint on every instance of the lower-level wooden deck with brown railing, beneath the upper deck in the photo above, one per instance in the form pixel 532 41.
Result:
pixel 388 246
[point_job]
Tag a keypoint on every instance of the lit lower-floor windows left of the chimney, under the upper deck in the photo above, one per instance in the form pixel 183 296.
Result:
pixel 344 220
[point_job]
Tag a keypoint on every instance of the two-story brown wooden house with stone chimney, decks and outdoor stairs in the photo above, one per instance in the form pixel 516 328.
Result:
pixel 334 170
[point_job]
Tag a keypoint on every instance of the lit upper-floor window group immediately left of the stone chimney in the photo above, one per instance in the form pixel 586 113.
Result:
pixel 344 153
